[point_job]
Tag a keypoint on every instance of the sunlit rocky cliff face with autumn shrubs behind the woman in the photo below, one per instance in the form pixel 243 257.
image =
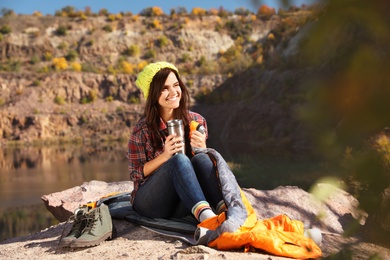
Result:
pixel 67 78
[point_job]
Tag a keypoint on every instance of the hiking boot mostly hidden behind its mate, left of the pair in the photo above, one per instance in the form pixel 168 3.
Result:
pixel 79 223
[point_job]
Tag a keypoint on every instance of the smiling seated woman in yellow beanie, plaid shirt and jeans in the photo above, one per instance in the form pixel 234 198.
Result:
pixel 166 183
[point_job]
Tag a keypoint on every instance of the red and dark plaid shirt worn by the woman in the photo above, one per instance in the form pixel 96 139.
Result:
pixel 141 151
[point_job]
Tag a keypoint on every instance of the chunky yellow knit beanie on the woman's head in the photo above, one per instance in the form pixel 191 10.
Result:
pixel 145 77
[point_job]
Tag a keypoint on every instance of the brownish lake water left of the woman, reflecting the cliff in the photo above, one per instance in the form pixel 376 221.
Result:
pixel 27 173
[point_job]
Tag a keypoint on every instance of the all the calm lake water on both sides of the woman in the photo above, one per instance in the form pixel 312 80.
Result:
pixel 27 173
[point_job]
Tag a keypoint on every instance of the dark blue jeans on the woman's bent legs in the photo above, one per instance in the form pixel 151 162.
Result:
pixel 174 188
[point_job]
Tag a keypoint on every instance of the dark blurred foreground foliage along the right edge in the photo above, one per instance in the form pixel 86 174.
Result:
pixel 348 47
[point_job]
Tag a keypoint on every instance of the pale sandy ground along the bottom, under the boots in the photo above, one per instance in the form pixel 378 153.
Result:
pixel 134 242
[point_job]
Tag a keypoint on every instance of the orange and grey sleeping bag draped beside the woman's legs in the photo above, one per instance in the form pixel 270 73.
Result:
pixel 239 227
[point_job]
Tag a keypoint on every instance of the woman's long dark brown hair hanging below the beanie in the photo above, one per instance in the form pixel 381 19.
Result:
pixel 152 114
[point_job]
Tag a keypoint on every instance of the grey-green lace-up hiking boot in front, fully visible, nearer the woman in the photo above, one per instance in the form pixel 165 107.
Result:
pixel 98 228
